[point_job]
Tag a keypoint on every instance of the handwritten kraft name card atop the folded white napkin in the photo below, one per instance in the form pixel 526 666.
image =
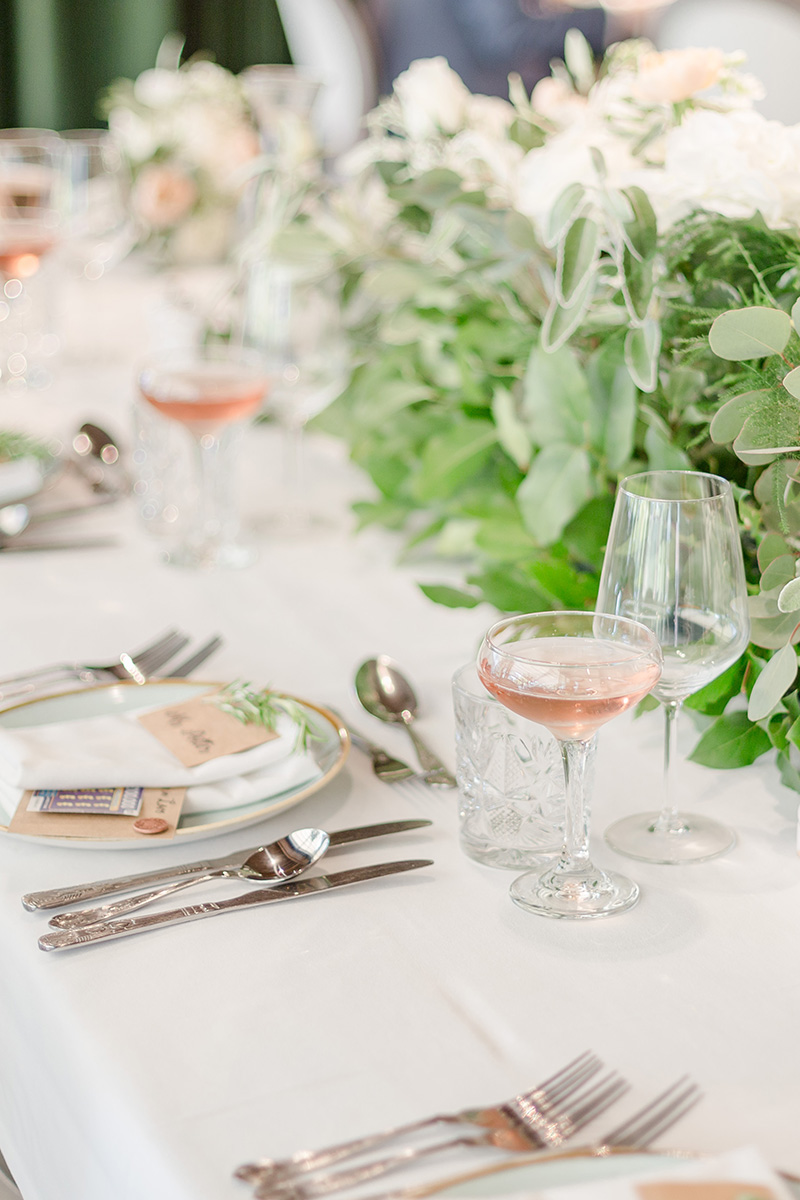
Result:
pixel 199 731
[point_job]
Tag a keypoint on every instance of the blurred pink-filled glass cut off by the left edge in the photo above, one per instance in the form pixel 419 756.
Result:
pixel 32 223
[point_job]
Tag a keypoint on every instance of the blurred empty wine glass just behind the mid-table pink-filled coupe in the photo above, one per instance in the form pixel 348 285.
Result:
pixel 293 320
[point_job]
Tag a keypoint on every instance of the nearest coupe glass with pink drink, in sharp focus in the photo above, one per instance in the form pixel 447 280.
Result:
pixel 572 673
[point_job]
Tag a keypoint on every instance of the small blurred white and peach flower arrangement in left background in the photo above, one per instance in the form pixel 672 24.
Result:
pixel 189 137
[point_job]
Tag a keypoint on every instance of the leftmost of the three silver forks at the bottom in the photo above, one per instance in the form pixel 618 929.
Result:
pixel 544 1099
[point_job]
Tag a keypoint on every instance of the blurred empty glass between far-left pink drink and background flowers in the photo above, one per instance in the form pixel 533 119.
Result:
pixel 99 227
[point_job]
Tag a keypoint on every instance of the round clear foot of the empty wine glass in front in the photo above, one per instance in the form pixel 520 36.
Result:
pixel 695 839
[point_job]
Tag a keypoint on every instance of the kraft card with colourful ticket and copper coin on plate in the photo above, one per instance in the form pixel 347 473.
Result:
pixel 103 814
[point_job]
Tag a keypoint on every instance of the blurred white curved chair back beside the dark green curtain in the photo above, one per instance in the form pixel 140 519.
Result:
pixel 330 39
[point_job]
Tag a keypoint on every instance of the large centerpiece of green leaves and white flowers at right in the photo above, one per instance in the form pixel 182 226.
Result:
pixel 531 287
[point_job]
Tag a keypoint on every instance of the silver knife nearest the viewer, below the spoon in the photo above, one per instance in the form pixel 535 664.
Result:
pixel 124 926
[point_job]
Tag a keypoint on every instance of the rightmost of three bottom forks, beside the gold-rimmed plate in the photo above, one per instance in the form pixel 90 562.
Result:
pixel 637 1133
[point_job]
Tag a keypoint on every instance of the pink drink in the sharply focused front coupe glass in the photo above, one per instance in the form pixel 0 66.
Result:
pixel 572 686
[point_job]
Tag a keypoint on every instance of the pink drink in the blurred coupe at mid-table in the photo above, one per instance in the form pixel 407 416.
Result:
pixel 206 397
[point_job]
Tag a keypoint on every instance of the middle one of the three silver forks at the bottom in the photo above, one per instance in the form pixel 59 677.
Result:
pixel 528 1130
